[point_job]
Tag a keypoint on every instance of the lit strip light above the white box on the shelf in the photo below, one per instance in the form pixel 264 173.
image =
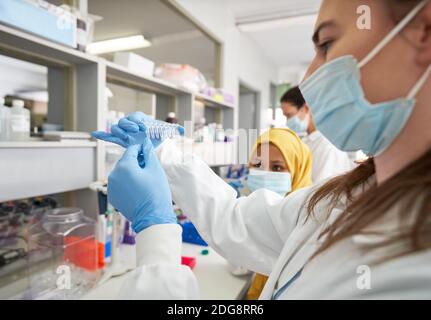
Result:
pixel 122 75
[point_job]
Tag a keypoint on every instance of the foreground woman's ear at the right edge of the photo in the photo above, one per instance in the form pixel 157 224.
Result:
pixel 424 36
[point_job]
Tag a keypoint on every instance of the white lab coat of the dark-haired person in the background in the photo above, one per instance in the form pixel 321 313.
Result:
pixel 328 161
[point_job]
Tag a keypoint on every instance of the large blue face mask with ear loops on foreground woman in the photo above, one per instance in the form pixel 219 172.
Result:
pixel 343 114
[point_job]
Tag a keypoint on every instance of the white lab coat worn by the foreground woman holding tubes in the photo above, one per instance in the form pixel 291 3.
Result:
pixel 267 234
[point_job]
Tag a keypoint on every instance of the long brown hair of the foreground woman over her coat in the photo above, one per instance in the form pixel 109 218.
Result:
pixel 410 188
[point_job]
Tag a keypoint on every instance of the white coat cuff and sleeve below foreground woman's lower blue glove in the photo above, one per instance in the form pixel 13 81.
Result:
pixel 159 274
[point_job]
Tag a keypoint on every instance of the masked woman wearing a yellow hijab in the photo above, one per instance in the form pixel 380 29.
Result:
pixel 280 162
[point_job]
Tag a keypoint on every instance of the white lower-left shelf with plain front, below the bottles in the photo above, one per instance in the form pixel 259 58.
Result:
pixel 29 169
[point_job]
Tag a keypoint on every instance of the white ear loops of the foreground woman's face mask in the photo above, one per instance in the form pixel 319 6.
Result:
pixel 407 19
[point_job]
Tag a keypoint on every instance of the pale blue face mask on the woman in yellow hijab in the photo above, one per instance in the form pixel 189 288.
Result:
pixel 279 182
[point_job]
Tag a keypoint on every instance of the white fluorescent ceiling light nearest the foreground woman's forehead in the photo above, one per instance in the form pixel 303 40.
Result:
pixel 277 23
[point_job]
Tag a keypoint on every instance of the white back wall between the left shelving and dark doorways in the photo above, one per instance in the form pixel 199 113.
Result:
pixel 243 60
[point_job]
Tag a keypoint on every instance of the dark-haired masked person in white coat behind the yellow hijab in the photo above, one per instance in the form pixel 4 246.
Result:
pixel 328 161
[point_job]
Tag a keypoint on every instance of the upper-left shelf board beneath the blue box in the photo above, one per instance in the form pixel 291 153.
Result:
pixel 13 40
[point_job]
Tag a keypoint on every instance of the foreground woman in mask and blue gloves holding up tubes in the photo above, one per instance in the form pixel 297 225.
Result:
pixel 366 234
